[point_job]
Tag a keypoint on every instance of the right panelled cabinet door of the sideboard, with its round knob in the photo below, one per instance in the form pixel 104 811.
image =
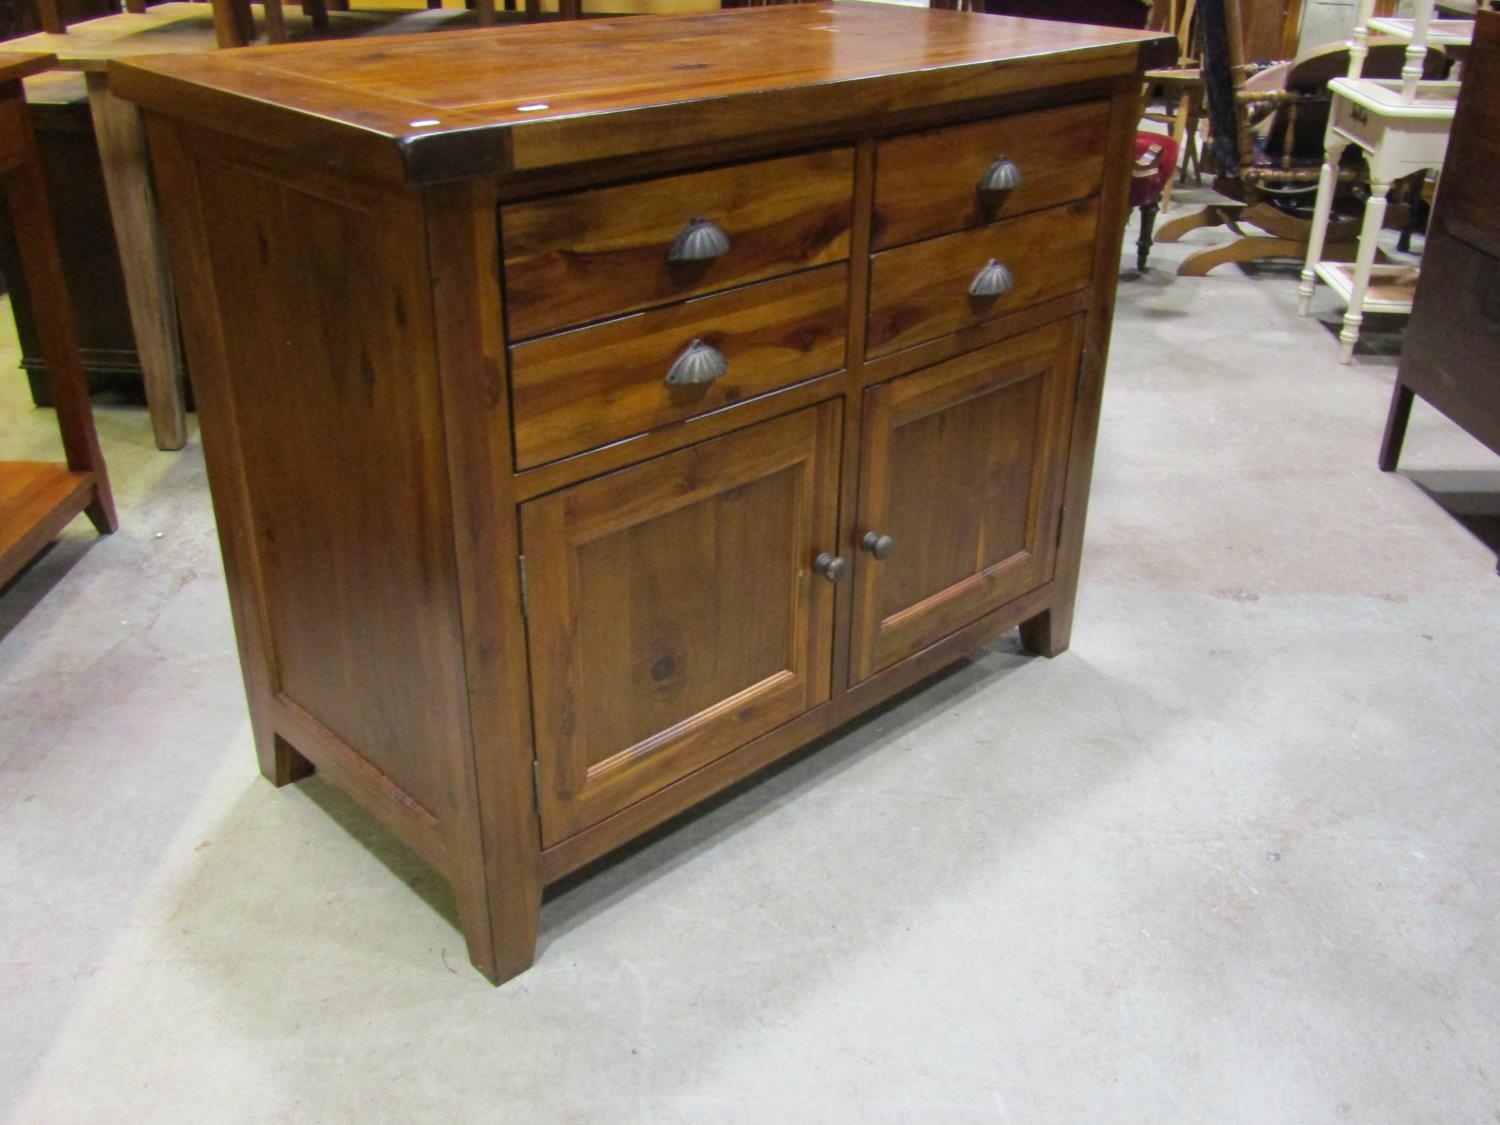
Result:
pixel 962 466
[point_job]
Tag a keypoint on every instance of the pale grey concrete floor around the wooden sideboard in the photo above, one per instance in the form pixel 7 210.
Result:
pixel 1234 859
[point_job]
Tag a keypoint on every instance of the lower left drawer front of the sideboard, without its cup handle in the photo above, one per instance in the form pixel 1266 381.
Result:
pixel 584 389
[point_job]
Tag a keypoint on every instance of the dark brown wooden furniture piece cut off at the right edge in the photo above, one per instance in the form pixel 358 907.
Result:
pixel 1454 338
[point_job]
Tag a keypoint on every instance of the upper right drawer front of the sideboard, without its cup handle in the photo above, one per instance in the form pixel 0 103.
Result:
pixel 931 184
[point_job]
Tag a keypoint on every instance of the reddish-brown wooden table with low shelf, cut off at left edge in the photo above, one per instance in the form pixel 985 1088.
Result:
pixel 40 499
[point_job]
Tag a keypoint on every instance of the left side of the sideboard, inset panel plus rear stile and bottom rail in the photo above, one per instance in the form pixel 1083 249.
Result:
pixel 310 325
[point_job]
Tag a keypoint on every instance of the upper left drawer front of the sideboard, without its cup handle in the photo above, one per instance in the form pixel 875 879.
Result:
pixel 577 259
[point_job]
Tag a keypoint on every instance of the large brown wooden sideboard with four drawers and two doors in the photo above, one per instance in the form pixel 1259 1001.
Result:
pixel 596 413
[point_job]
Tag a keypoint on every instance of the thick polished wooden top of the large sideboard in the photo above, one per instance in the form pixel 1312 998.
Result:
pixel 446 107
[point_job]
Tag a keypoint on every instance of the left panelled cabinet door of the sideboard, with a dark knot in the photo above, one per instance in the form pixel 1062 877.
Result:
pixel 674 613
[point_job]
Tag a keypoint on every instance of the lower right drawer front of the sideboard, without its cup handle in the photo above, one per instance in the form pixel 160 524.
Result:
pixel 922 292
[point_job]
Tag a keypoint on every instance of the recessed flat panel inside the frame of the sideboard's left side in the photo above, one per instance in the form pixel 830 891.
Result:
pixel 352 521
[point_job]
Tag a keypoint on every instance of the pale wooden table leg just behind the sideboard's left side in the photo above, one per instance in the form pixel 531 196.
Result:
pixel 143 259
